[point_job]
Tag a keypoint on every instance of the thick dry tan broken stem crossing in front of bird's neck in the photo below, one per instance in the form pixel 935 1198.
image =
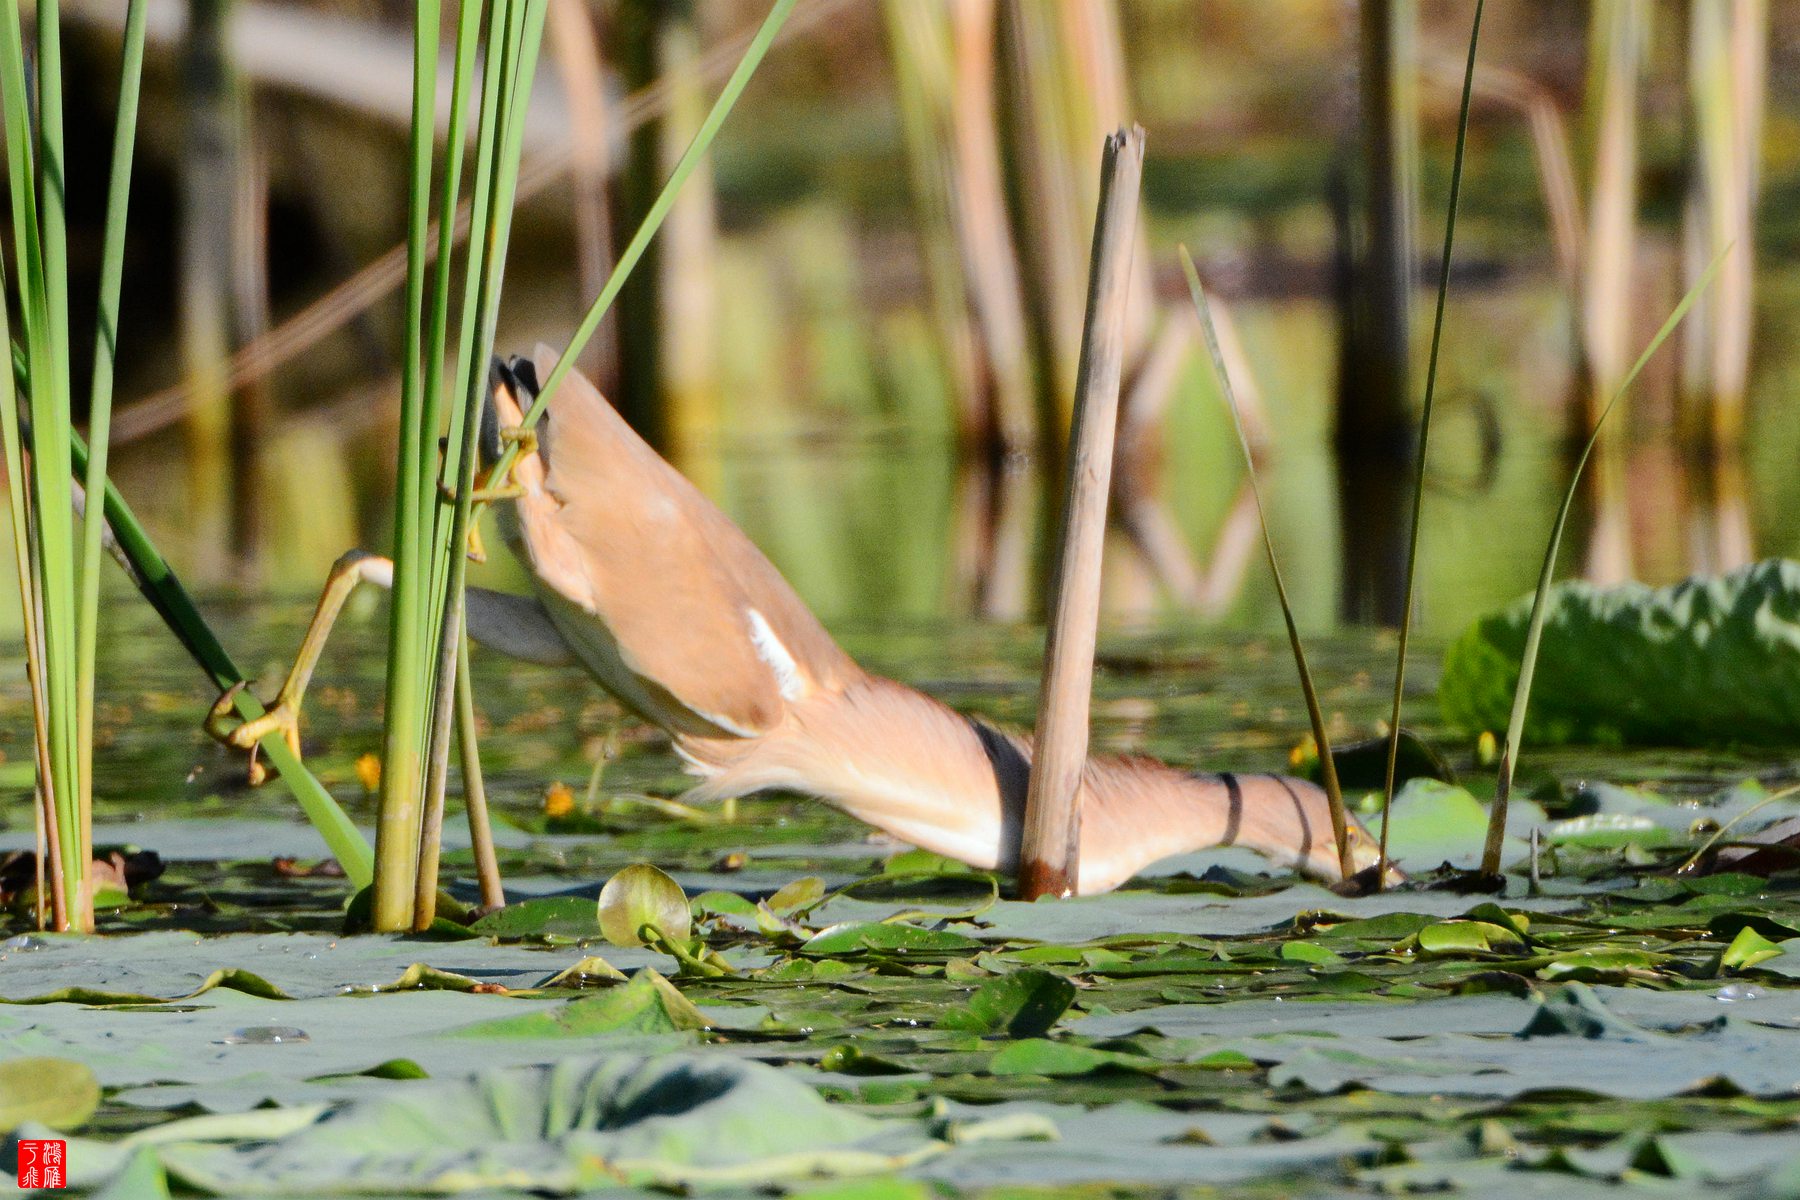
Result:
pixel 1050 852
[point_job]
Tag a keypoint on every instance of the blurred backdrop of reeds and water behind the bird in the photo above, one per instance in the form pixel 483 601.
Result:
pixel 858 330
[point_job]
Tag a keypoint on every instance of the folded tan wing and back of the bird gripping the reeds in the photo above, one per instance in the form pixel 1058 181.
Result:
pixel 685 602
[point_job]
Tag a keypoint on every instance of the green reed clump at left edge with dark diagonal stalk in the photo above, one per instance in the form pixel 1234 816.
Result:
pixel 58 577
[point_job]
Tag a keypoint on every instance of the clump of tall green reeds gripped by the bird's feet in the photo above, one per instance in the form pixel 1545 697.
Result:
pixel 431 537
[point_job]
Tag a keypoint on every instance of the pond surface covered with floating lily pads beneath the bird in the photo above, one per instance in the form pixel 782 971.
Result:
pixel 1210 1025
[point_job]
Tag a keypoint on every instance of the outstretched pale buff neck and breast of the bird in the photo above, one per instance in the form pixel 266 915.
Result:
pixel 930 776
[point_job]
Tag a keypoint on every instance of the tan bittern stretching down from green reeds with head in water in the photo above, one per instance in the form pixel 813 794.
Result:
pixel 651 589
